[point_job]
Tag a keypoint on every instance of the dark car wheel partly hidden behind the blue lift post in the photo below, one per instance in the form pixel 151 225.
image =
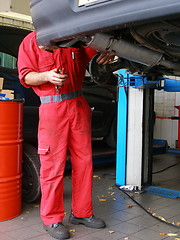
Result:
pixel 111 139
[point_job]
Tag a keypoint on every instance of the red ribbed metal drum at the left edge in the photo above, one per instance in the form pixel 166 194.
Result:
pixel 11 118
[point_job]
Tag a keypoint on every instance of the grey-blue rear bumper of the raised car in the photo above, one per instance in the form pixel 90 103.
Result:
pixel 64 20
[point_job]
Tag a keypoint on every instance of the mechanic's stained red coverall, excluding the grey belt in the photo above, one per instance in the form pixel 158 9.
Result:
pixel 62 125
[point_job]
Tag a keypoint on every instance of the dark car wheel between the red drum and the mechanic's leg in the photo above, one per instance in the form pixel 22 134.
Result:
pixel 31 168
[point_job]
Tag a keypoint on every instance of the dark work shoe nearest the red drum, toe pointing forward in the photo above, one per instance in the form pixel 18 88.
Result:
pixel 57 230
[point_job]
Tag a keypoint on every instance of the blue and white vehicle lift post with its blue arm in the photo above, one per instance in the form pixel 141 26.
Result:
pixel 135 128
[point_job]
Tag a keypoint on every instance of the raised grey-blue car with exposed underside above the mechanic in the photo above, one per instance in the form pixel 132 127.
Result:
pixel 145 35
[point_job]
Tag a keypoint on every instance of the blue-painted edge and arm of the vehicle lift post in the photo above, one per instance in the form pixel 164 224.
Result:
pixel 125 81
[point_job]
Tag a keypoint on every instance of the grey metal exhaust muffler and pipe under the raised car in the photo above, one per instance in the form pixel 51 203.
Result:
pixel 150 58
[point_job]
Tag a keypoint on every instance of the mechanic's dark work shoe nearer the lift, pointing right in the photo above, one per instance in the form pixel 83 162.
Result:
pixel 91 222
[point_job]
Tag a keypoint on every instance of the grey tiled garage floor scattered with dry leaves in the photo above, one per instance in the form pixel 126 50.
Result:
pixel 125 219
